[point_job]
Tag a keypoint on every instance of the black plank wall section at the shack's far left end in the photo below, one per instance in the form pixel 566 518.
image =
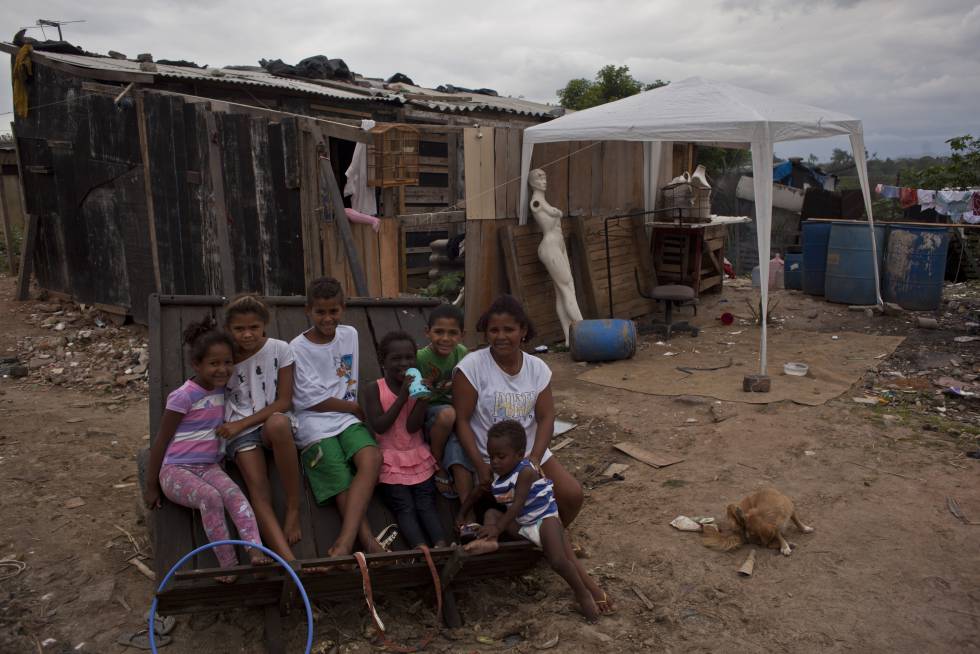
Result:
pixel 83 180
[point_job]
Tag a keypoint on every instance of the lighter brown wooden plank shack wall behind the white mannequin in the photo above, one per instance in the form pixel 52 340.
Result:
pixel 598 186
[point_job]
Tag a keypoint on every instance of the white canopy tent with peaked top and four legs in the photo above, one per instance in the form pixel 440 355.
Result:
pixel 706 111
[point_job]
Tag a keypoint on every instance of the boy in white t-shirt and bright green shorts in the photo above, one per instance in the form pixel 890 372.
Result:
pixel 339 455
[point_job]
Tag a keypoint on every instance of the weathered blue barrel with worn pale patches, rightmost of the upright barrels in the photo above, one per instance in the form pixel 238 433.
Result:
pixel 915 266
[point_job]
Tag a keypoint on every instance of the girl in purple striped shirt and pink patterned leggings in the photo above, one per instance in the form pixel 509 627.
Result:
pixel 186 453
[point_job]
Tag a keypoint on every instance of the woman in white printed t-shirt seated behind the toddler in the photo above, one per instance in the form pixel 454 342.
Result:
pixel 502 382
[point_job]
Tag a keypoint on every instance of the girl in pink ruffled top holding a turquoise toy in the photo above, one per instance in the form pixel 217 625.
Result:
pixel 406 481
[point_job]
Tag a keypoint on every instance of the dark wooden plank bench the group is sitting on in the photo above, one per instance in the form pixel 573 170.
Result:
pixel 176 530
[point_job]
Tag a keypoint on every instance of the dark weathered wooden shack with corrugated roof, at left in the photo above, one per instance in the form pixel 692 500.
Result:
pixel 183 180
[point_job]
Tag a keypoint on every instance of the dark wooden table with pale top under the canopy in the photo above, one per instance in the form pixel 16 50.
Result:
pixel 692 254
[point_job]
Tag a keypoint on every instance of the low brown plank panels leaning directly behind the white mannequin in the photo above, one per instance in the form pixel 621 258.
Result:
pixel 530 282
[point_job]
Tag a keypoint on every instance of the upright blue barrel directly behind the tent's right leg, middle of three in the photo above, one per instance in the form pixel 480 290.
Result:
pixel 850 277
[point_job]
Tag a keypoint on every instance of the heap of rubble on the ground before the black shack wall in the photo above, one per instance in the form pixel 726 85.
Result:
pixel 84 349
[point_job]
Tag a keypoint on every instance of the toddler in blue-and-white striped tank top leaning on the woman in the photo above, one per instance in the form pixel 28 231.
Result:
pixel 531 513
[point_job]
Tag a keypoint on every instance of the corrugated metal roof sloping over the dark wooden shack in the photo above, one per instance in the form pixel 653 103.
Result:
pixel 443 102
